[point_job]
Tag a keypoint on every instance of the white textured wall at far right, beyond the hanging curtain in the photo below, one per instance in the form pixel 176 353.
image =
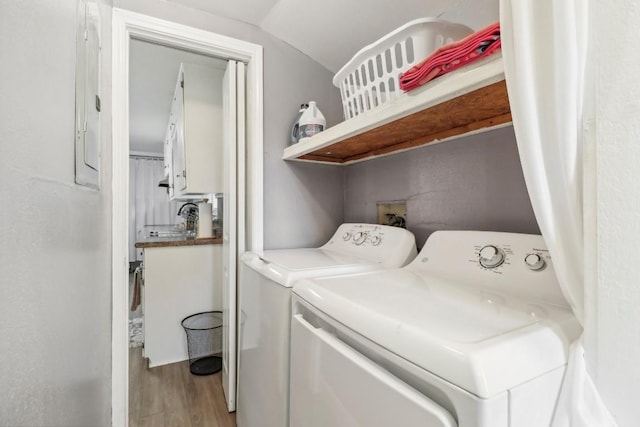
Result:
pixel 613 303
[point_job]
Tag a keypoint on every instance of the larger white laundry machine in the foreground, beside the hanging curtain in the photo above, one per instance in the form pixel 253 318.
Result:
pixel 475 332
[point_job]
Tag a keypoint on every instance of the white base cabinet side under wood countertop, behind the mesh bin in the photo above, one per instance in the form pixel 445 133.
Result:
pixel 179 281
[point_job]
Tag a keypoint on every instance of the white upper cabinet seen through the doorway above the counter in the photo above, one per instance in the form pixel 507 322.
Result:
pixel 193 145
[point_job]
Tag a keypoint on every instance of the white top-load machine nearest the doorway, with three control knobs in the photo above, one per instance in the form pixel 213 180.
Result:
pixel 265 282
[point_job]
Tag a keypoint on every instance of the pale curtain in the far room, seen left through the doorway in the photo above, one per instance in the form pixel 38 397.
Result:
pixel 148 203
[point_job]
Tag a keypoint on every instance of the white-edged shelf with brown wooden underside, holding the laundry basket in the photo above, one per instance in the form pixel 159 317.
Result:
pixel 469 100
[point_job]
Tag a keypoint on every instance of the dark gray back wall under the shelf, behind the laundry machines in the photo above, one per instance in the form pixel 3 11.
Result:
pixel 474 182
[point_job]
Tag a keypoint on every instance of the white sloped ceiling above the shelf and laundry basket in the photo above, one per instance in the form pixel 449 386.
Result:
pixel 332 31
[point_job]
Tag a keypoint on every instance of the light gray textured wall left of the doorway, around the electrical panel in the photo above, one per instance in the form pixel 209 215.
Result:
pixel 55 298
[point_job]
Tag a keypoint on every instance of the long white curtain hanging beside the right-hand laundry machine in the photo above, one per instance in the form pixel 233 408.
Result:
pixel 544 46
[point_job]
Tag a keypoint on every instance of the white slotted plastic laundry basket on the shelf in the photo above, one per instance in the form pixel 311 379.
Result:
pixel 370 78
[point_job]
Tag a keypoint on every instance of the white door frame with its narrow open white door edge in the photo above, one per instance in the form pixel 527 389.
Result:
pixel 128 26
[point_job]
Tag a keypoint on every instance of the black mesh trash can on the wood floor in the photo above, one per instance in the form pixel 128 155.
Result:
pixel 204 342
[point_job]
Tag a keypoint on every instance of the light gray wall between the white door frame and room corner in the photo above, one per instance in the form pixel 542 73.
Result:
pixel 303 203
